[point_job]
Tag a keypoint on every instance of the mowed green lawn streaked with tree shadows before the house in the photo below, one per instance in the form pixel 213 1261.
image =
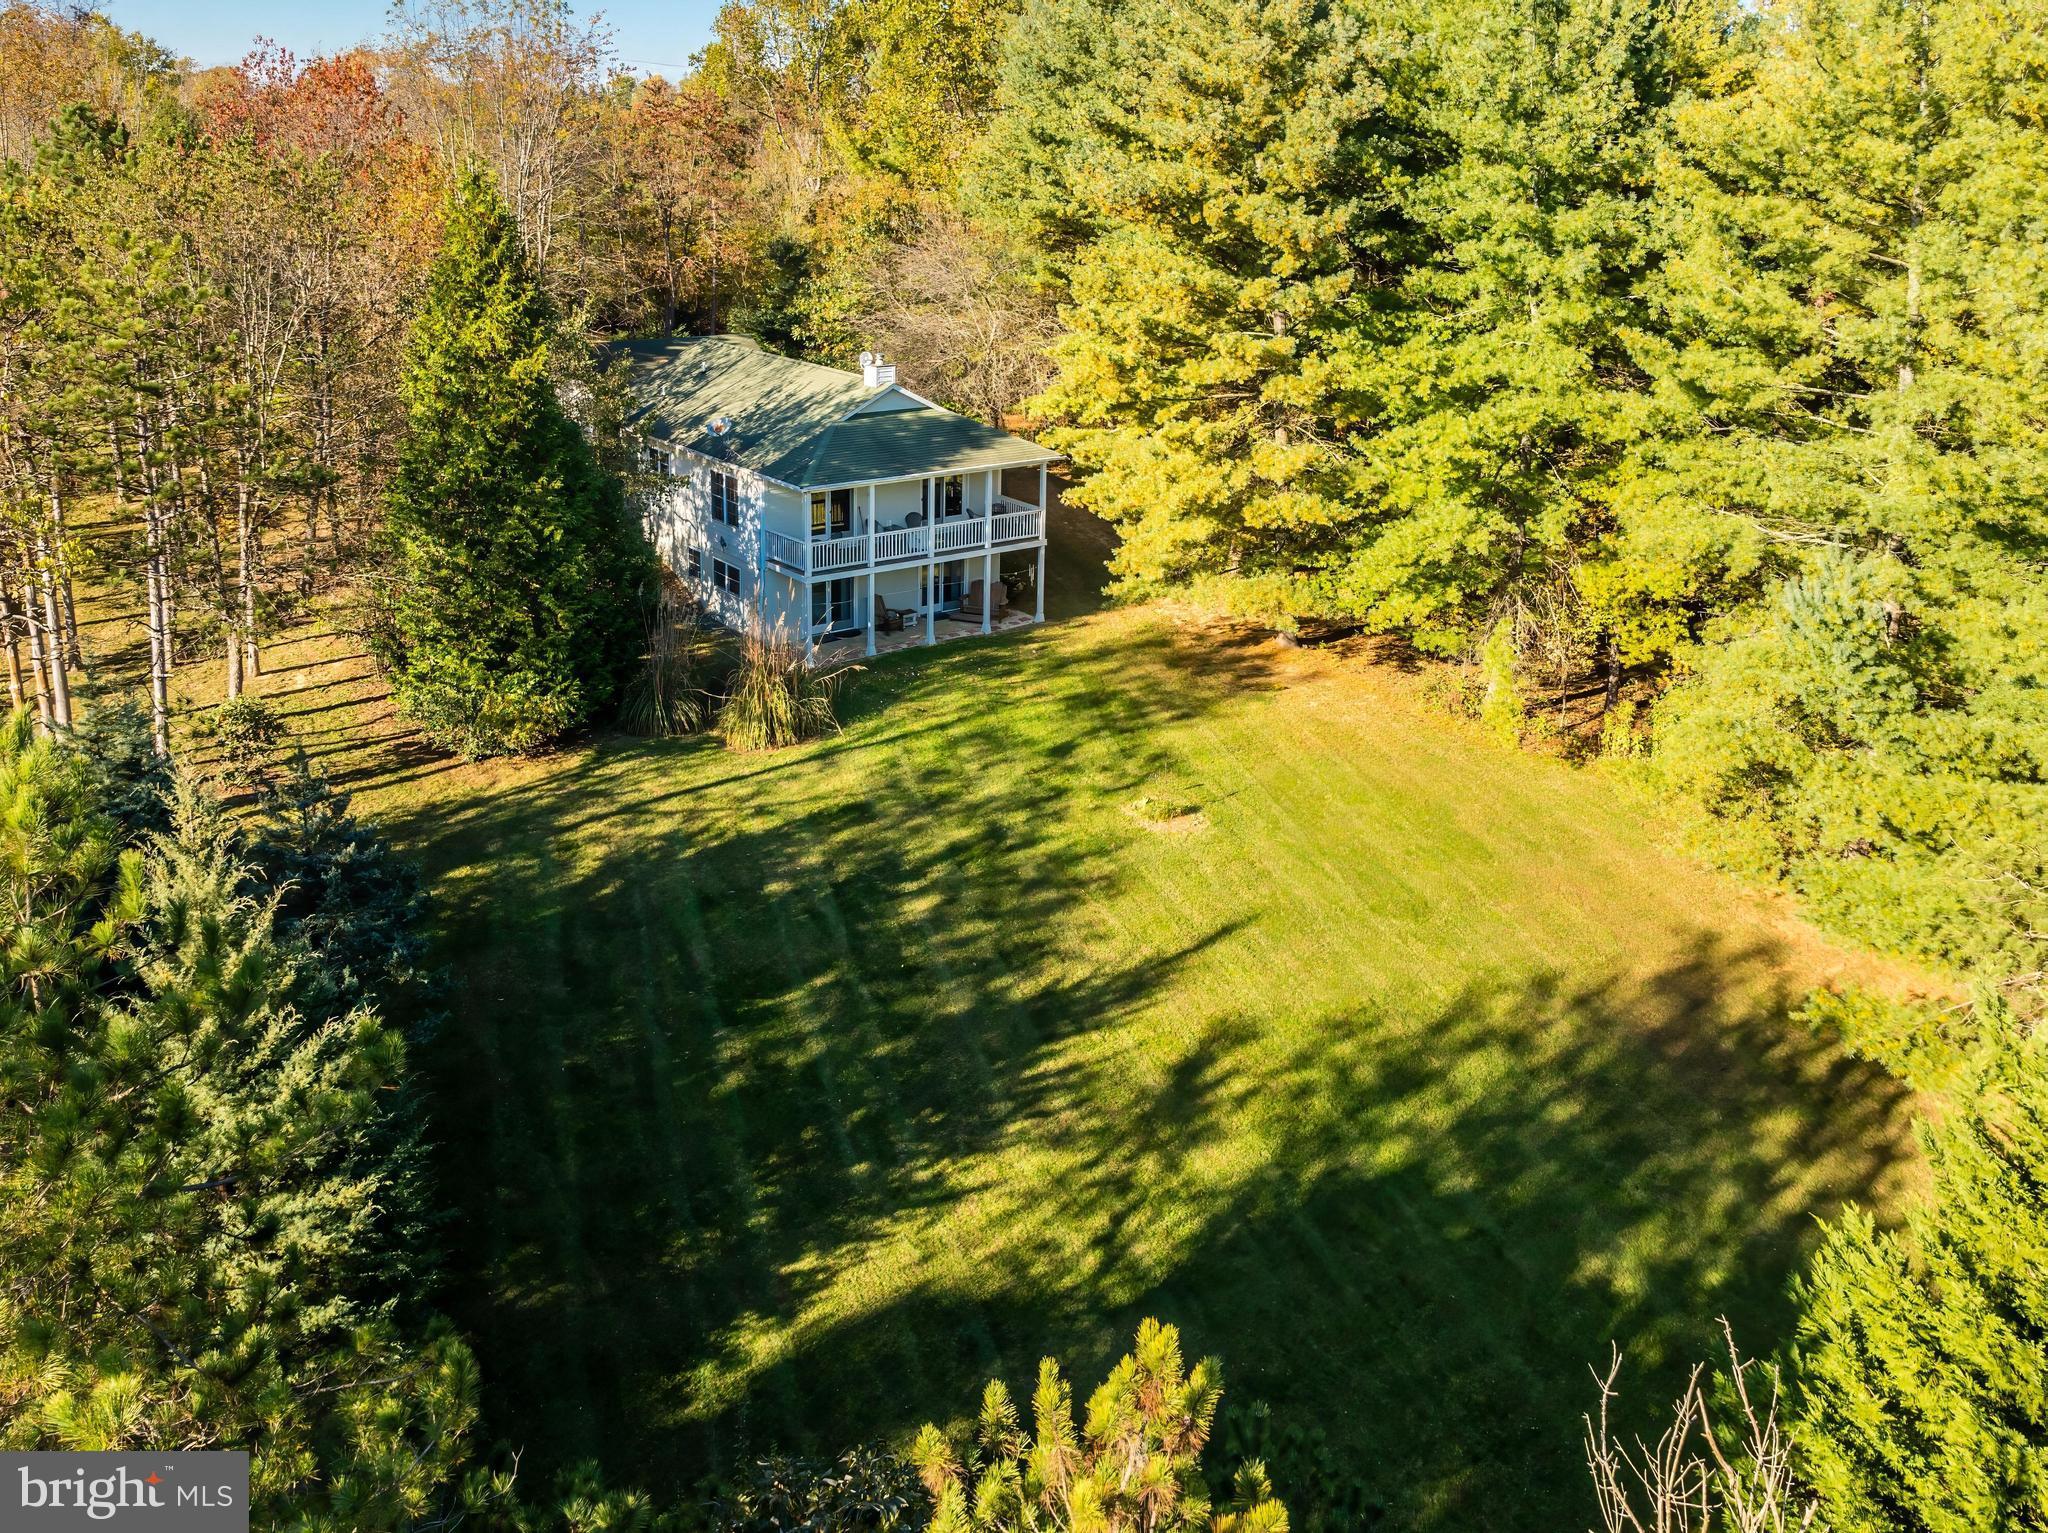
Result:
pixel 783 1100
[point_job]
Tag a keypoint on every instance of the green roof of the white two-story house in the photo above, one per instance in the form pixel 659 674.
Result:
pixel 796 421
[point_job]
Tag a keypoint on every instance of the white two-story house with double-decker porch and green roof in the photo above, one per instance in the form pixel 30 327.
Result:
pixel 833 505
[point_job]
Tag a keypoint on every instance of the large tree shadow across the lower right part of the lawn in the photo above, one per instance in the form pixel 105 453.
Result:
pixel 1437 1227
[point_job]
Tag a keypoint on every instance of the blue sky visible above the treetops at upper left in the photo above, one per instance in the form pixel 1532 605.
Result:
pixel 652 36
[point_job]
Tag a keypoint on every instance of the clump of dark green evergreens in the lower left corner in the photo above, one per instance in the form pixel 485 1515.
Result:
pixel 194 1207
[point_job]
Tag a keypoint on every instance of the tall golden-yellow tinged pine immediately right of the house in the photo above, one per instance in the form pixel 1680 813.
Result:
pixel 1226 175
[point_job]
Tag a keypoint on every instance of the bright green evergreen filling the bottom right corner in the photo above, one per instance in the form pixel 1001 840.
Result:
pixel 1924 1356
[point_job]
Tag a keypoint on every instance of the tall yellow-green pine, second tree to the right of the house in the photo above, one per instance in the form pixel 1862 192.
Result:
pixel 1506 396
